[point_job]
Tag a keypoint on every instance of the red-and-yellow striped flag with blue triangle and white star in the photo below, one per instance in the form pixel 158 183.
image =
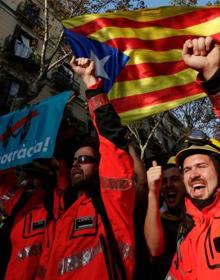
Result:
pixel 138 53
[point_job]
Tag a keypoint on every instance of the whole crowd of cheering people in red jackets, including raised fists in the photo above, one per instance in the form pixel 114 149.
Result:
pixel 105 216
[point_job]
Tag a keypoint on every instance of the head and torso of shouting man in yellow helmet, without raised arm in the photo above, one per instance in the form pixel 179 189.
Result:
pixel 198 246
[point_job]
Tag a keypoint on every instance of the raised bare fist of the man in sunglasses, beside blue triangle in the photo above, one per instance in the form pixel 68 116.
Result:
pixel 85 68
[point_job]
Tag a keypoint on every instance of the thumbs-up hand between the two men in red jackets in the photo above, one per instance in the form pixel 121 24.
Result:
pixel 154 178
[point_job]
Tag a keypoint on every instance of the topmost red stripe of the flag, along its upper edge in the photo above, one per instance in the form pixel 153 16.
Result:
pixel 176 22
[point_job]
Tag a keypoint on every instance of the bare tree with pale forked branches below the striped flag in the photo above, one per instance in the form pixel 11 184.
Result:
pixel 157 135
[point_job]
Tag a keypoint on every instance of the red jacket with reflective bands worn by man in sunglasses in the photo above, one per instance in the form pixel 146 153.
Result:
pixel 76 246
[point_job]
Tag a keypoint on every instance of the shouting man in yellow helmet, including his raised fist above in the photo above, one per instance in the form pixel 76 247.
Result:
pixel 198 249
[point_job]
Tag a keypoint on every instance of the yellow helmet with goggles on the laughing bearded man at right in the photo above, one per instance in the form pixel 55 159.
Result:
pixel 198 142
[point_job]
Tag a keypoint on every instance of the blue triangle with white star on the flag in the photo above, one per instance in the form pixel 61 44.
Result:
pixel 109 60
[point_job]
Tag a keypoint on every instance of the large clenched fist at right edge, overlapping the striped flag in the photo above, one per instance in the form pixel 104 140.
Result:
pixel 203 55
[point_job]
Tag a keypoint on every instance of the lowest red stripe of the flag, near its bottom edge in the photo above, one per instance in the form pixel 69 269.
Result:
pixel 127 103
